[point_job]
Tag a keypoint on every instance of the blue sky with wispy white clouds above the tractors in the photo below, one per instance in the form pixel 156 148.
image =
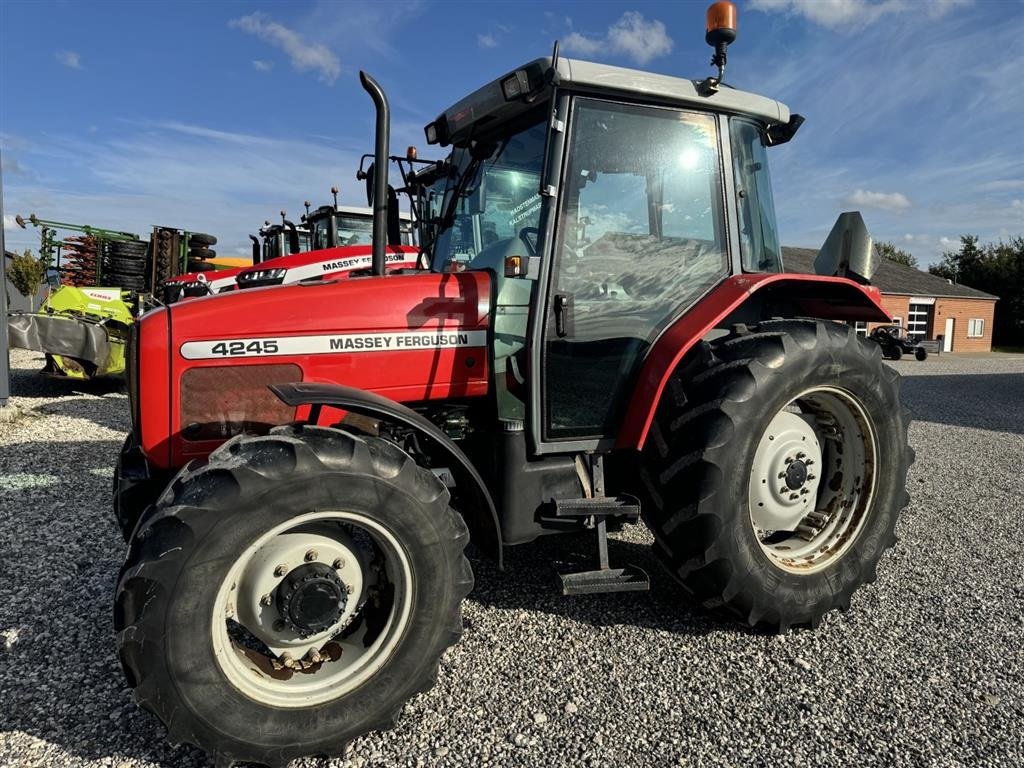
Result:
pixel 215 116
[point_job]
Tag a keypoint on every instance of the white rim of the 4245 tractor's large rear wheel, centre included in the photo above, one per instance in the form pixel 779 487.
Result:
pixel 813 481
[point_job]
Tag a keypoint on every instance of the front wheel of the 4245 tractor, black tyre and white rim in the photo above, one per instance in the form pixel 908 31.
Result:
pixel 291 594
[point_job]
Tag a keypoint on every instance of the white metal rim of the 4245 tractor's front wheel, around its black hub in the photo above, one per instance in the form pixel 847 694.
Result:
pixel 373 564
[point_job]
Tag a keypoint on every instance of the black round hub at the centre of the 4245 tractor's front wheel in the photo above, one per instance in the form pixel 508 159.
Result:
pixel 312 599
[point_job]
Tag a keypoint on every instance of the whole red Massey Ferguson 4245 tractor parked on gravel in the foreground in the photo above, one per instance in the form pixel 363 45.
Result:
pixel 605 333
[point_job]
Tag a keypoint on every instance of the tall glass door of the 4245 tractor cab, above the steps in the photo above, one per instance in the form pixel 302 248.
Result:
pixel 641 236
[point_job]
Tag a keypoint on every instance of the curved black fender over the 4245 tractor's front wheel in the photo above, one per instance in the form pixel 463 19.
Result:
pixel 483 519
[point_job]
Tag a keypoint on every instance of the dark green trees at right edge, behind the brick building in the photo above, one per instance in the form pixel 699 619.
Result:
pixel 998 270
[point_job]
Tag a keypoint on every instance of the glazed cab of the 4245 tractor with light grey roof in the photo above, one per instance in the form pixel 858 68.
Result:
pixel 596 248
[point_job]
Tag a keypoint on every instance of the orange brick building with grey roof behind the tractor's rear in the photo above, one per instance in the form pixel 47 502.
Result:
pixel 923 304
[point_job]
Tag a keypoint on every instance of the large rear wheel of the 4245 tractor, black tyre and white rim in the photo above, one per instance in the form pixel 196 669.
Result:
pixel 776 472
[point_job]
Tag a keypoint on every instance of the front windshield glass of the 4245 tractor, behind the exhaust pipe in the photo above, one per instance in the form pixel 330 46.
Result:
pixel 491 206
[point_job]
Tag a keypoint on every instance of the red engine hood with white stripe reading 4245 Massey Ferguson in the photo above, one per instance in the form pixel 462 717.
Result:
pixel 409 337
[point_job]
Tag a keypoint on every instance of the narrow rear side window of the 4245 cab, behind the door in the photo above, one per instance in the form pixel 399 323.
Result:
pixel 758 237
